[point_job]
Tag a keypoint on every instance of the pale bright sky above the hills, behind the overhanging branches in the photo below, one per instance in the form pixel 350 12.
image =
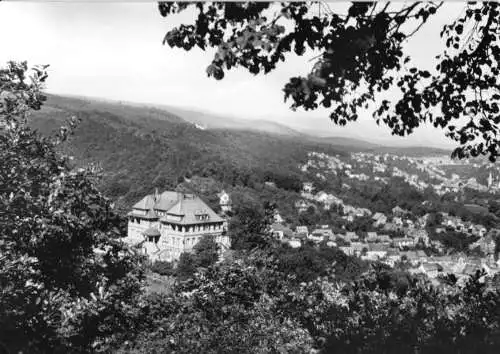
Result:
pixel 114 51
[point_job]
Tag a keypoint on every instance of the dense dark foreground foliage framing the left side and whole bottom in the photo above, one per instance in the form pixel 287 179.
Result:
pixel 68 285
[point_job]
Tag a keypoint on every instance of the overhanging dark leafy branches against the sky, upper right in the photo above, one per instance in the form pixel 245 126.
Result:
pixel 361 57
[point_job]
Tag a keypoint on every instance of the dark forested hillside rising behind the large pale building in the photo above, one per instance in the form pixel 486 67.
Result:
pixel 140 148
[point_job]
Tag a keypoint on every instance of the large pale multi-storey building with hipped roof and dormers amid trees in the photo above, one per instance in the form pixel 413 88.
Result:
pixel 168 224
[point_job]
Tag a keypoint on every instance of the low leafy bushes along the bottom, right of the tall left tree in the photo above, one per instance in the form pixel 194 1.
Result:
pixel 250 306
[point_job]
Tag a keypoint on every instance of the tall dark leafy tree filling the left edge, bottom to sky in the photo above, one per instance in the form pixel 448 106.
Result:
pixel 67 283
